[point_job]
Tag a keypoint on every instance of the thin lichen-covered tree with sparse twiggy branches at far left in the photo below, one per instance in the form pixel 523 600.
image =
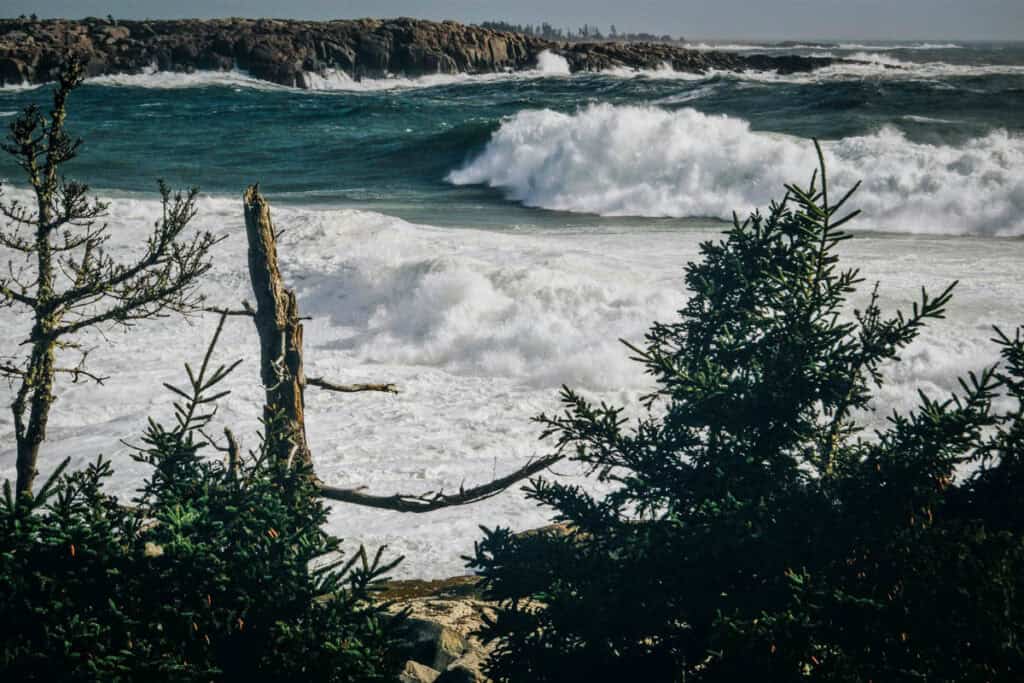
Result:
pixel 62 275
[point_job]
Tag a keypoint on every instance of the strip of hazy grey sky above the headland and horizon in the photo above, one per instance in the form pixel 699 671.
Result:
pixel 992 20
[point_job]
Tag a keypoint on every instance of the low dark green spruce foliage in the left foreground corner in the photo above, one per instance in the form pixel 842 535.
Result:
pixel 218 572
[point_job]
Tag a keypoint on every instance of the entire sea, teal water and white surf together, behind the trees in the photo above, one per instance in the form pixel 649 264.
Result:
pixel 482 241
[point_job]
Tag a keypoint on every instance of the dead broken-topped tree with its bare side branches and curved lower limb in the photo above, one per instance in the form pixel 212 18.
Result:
pixel 280 329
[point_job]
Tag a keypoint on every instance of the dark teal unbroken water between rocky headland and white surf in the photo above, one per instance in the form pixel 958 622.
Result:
pixel 394 150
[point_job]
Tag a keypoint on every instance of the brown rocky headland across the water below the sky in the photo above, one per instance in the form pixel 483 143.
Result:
pixel 287 52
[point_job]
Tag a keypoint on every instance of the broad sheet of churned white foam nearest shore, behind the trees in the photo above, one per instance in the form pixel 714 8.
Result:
pixel 479 329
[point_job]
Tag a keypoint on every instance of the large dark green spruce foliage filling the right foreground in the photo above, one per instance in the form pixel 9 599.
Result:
pixel 754 532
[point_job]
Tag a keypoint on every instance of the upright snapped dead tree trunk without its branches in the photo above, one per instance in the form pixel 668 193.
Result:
pixel 280 331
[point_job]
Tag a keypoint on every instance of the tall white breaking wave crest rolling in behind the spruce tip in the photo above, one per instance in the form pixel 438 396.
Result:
pixel 653 162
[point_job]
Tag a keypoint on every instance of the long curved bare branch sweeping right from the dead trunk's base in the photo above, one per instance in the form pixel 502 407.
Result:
pixel 433 502
